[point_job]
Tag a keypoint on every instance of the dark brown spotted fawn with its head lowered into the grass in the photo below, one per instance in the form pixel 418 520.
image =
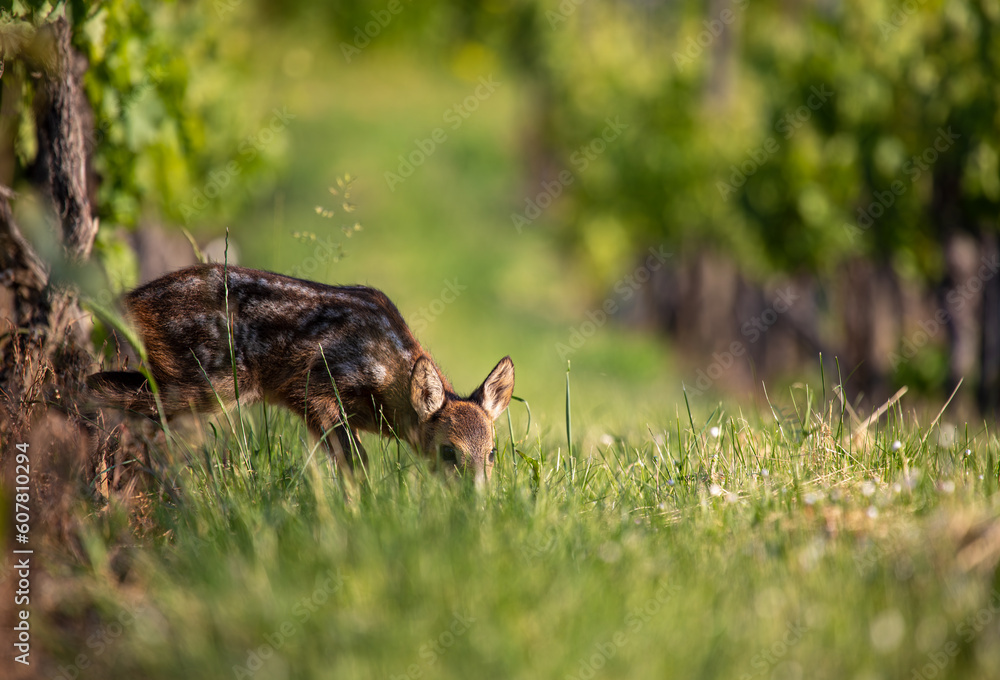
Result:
pixel 340 357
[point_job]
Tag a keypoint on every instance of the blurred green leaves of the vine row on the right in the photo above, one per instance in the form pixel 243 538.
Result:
pixel 771 130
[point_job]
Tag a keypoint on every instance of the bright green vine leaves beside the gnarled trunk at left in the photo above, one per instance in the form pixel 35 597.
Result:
pixel 173 102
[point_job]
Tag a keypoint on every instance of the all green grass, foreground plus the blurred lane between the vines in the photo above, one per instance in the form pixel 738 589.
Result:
pixel 779 548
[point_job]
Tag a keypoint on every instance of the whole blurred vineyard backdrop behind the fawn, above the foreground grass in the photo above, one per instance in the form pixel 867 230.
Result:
pixel 709 194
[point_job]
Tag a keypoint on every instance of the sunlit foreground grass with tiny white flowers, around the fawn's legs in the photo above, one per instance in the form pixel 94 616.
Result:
pixel 765 551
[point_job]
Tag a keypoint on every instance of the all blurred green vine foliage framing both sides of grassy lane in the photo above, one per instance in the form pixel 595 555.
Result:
pixel 793 136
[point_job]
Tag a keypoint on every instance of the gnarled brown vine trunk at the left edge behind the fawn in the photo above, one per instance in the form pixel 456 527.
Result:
pixel 45 351
